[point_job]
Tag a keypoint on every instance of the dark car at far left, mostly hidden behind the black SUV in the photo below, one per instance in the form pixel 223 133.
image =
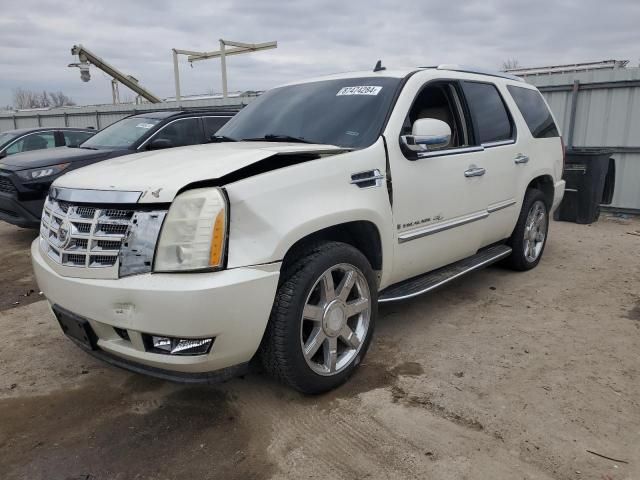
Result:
pixel 30 139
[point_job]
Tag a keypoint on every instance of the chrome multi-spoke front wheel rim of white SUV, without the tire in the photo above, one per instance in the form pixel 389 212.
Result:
pixel 335 319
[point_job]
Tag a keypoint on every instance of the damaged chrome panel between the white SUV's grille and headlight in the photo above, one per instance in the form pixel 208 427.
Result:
pixel 139 245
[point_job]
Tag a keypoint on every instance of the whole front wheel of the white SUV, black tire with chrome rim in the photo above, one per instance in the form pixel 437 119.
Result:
pixel 322 319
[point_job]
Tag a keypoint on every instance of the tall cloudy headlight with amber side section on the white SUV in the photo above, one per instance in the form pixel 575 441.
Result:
pixel 194 233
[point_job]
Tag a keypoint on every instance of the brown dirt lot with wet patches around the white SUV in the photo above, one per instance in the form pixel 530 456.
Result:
pixel 499 376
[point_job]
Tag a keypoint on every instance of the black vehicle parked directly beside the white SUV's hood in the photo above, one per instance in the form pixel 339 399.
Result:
pixel 25 178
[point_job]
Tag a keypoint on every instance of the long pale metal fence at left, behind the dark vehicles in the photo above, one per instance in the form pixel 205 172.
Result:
pixel 103 115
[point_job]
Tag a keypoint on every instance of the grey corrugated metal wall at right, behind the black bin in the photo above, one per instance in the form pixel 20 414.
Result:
pixel 607 114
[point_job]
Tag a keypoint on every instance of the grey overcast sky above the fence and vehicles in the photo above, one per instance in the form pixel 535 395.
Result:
pixel 314 37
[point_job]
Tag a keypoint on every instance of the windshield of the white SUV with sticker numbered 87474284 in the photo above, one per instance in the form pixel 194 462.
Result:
pixel 347 113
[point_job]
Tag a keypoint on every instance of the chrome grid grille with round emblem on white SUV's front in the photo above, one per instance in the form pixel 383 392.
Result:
pixel 82 236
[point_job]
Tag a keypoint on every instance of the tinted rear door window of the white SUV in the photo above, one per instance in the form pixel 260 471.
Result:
pixel 488 112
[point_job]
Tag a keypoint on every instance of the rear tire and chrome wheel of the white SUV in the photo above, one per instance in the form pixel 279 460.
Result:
pixel 530 234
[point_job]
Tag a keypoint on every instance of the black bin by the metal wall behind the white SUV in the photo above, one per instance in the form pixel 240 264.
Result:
pixel 590 176
